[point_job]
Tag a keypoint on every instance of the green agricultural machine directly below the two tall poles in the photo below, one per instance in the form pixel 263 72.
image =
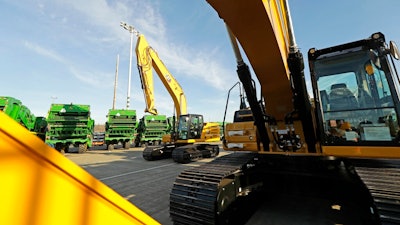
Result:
pixel 120 128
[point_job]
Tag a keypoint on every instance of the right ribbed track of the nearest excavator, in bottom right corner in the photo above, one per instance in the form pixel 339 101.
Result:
pixel 383 182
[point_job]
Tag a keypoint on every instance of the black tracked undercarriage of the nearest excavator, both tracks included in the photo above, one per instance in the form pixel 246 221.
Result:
pixel 233 188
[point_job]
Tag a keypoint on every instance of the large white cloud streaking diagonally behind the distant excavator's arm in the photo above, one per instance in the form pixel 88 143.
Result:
pixel 145 16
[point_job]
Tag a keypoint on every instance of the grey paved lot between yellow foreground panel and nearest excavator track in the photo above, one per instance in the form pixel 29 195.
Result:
pixel 147 184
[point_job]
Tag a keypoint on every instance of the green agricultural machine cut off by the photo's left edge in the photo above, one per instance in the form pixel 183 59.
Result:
pixel 20 113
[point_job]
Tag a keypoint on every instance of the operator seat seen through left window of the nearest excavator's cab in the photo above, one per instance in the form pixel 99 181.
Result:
pixel 341 98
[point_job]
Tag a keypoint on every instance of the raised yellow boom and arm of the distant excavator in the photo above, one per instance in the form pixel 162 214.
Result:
pixel 147 59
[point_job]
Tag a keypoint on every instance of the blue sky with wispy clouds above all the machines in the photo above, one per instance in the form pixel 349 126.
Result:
pixel 64 51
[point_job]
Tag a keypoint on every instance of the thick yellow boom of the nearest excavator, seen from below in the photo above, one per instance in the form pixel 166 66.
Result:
pixel 260 28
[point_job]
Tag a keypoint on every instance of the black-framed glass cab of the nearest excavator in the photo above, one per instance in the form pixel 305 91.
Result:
pixel 356 93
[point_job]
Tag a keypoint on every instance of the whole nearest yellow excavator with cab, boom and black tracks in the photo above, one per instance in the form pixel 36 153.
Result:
pixel 336 161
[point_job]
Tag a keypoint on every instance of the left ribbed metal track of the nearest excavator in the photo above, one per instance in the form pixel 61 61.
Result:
pixel 194 193
